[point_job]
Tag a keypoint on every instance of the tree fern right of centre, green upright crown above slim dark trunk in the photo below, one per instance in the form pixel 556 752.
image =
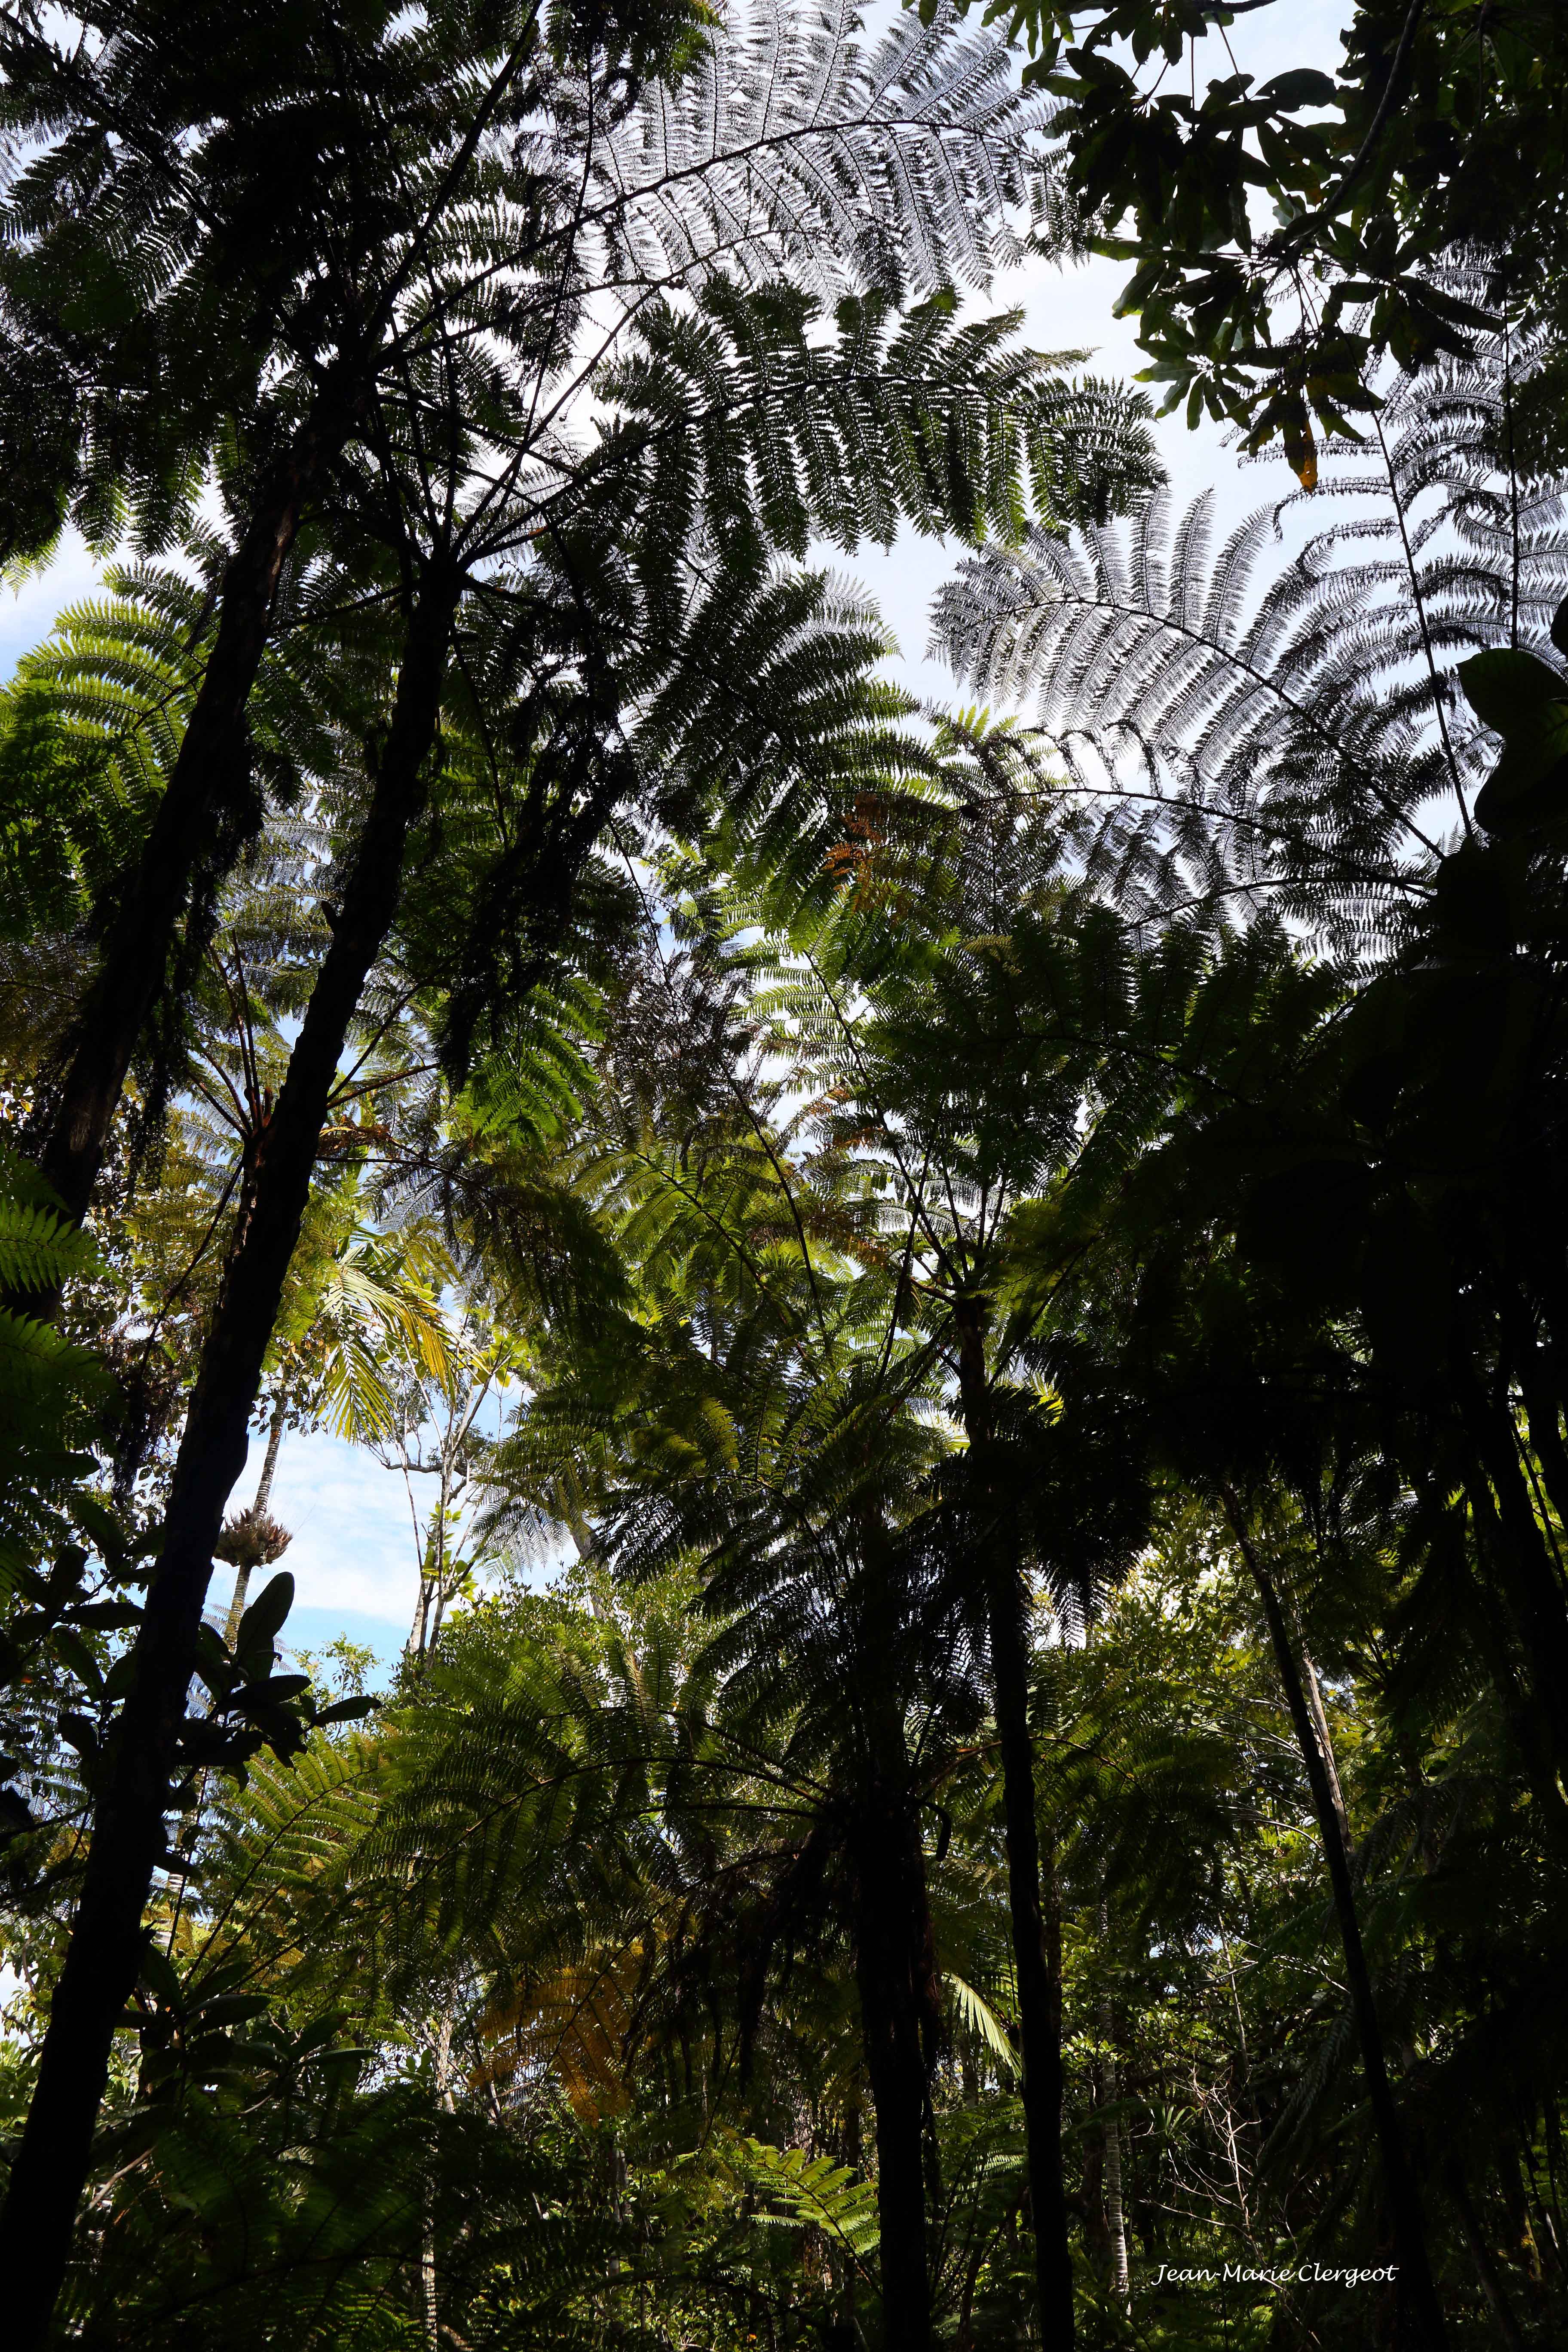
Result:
pixel 939 1008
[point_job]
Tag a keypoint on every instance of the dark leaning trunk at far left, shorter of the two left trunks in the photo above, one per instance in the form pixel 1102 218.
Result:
pixel 203 820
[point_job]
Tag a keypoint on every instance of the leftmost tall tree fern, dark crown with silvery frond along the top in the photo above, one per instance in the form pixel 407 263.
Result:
pixel 467 178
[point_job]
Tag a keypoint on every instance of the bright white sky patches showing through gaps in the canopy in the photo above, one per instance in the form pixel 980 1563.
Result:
pixel 354 1551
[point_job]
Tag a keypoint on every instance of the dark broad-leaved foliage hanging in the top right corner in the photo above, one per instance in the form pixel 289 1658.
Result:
pixel 1289 234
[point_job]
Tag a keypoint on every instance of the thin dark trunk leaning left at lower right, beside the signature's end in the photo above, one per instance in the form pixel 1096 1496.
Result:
pixel 1419 2313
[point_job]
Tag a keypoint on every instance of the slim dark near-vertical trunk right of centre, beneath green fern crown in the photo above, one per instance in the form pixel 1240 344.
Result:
pixel 1040 1991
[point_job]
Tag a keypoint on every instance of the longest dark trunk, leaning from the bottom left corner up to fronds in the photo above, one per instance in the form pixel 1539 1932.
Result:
pixel 128 1840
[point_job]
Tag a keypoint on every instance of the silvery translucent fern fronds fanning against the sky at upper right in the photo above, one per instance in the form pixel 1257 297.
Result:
pixel 1299 742
